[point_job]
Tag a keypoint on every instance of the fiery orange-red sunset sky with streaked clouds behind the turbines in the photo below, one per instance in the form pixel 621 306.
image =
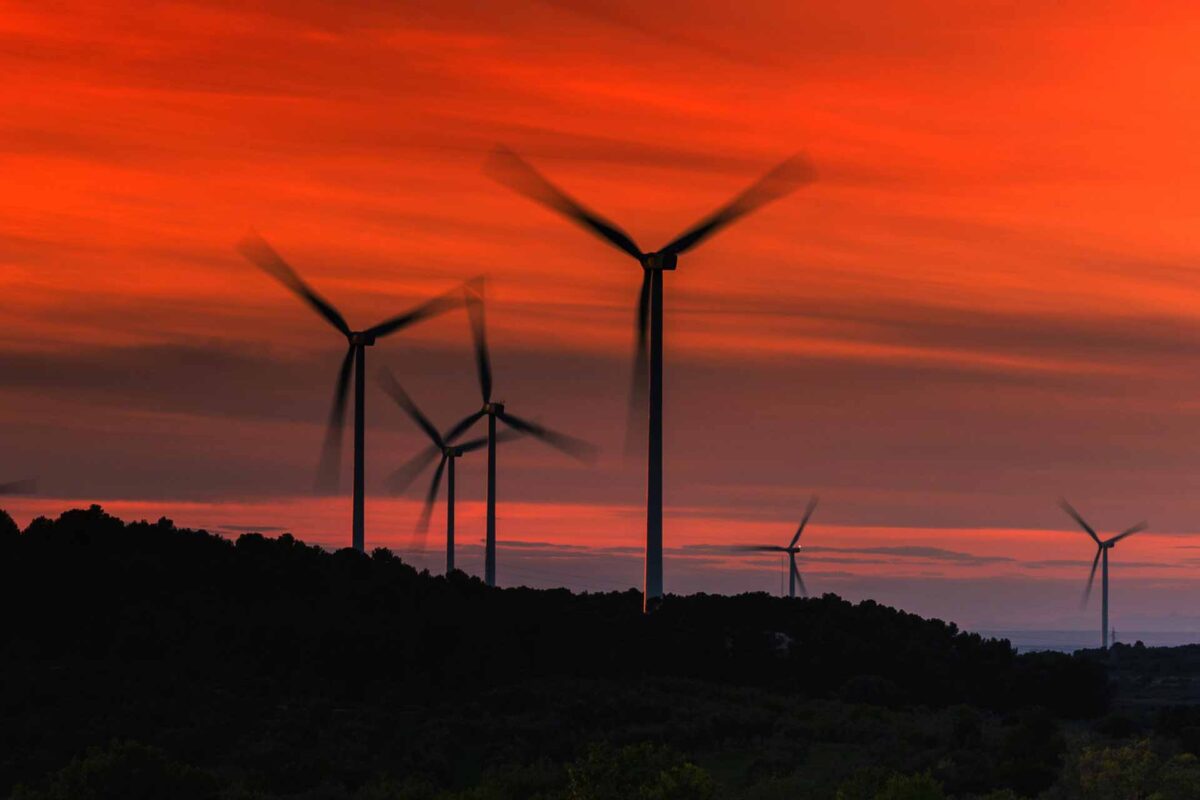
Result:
pixel 987 300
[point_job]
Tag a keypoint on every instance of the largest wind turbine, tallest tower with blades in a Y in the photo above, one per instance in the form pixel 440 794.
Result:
pixel 515 173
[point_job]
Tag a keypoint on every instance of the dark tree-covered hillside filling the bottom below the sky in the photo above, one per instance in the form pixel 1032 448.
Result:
pixel 146 661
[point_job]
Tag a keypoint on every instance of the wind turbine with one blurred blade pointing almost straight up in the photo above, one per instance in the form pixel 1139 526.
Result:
pixel 494 412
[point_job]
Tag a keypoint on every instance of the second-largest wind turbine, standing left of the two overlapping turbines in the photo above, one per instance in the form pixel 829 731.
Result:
pixel 256 250
